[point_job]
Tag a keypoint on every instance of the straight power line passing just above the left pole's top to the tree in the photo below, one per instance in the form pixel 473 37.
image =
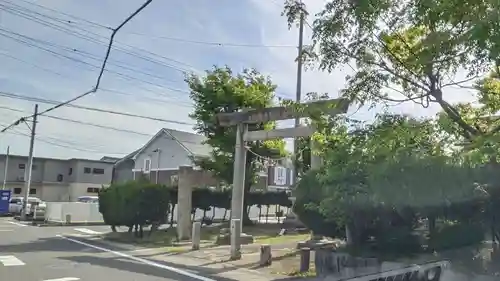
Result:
pixel 47 101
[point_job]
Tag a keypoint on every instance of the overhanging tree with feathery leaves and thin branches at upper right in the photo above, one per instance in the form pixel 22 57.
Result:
pixel 412 49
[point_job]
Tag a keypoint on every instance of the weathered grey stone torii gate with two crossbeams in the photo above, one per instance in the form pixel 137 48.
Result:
pixel 241 120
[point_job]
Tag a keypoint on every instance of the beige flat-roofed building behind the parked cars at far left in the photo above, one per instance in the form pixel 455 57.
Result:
pixel 54 179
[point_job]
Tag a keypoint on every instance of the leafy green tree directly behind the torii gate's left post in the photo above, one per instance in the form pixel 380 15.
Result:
pixel 222 91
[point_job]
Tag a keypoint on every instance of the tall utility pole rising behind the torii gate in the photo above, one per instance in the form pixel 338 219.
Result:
pixel 298 91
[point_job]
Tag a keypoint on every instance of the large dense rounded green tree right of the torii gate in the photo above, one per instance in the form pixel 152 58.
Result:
pixel 382 175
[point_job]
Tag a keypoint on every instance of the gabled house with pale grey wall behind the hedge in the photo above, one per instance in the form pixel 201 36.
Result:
pixel 159 160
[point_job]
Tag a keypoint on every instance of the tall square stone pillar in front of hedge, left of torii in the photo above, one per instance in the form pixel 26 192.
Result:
pixel 184 202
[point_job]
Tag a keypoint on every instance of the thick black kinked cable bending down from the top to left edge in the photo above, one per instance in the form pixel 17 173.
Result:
pixel 108 51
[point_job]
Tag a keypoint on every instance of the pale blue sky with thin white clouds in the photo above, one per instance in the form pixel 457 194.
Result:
pixel 51 50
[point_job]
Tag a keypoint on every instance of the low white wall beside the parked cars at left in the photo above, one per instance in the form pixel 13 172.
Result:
pixel 57 212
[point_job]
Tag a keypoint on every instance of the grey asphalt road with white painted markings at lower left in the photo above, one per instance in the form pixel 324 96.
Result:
pixel 29 253
